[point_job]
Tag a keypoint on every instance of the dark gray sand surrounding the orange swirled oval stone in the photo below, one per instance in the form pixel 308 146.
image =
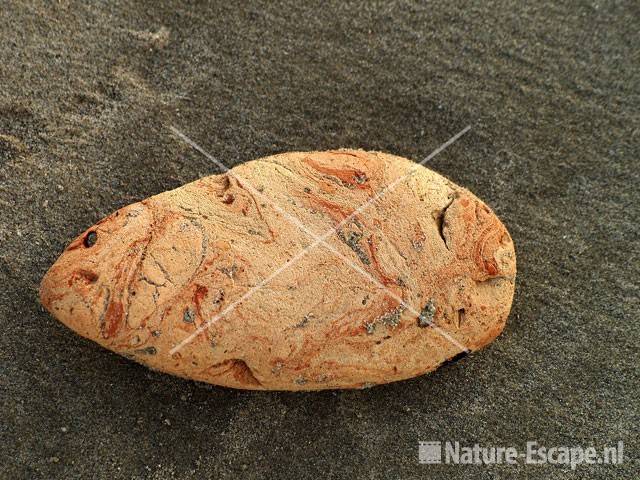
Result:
pixel 552 95
